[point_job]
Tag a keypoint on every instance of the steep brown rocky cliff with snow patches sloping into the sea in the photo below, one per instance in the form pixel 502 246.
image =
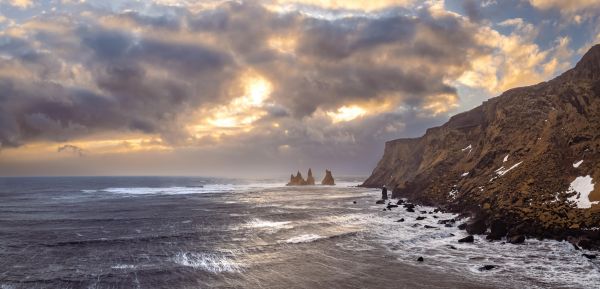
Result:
pixel 524 163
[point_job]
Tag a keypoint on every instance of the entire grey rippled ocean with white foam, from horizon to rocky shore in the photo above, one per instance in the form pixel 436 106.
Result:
pixel 179 232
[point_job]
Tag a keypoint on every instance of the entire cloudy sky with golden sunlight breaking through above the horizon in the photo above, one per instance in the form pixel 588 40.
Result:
pixel 259 88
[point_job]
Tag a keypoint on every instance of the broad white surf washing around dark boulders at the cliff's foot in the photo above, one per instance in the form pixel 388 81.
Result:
pixel 554 264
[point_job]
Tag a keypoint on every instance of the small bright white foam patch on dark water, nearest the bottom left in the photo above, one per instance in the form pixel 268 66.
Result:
pixel 210 262
